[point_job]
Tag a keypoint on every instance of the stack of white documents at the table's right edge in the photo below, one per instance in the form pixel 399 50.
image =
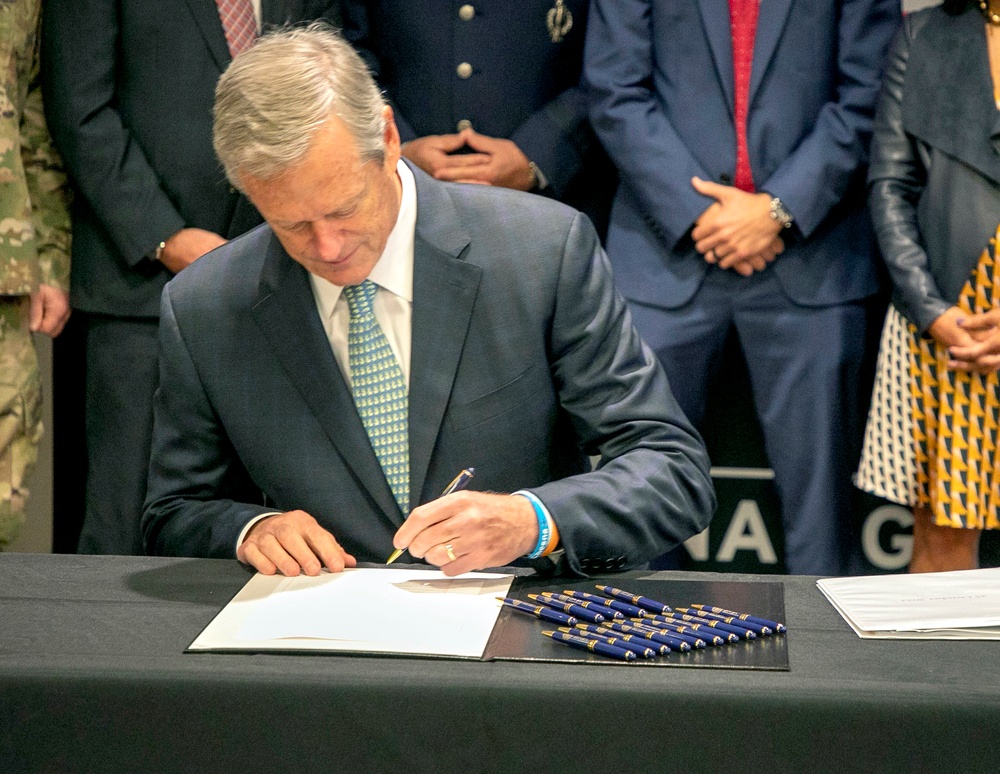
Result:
pixel 963 605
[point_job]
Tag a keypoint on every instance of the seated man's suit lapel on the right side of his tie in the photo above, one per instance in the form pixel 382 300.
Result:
pixel 444 294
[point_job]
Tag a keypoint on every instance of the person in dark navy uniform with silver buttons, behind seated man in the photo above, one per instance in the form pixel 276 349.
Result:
pixel 489 92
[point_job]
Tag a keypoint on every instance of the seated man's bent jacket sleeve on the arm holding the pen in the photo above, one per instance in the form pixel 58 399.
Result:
pixel 651 489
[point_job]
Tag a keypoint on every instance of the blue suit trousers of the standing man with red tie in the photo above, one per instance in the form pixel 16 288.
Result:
pixel 806 369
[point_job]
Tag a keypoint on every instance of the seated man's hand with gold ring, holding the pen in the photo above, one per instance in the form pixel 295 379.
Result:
pixel 483 530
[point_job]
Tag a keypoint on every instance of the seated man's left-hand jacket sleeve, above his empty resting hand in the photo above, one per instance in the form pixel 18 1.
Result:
pixel 199 496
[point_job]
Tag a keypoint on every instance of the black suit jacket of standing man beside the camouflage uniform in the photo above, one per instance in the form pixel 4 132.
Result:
pixel 129 88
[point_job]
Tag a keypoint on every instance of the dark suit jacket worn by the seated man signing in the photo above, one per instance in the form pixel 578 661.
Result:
pixel 524 362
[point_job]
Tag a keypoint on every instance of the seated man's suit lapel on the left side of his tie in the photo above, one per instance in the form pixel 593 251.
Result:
pixel 286 314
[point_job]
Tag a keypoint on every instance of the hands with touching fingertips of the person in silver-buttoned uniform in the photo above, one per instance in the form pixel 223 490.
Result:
pixel 492 161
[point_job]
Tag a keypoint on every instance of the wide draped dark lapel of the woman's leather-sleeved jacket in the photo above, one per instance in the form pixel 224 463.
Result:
pixel 947 97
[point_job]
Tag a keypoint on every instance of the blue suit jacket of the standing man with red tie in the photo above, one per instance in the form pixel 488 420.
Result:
pixel 661 77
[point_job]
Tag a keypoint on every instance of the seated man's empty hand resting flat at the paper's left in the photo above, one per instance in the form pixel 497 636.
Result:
pixel 291 543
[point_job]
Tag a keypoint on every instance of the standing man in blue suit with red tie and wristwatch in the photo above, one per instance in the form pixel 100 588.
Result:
pixel 740 131
